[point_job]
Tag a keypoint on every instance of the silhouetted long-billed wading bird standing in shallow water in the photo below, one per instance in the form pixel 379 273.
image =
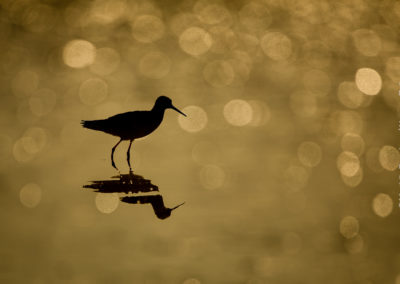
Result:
pixel 132 125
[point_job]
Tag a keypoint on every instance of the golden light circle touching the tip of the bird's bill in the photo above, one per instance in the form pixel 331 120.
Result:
pixel 196 119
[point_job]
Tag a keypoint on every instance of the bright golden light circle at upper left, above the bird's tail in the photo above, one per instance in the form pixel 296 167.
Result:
pixel 79 53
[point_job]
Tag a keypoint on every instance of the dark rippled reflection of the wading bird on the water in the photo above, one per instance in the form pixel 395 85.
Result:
pixel 134 184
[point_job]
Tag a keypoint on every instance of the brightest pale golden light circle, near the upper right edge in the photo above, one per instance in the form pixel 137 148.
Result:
pixel 368 81
